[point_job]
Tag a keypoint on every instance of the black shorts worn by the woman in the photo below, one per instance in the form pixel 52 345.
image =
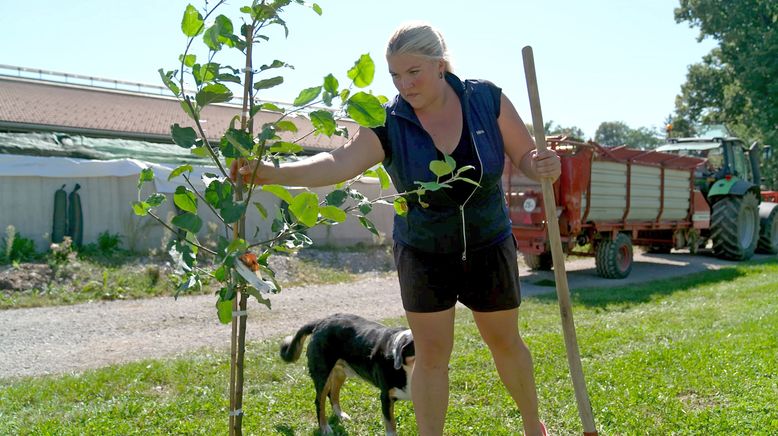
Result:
pixel 487 281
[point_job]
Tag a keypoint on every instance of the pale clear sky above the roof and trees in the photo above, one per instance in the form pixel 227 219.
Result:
pixel 596 60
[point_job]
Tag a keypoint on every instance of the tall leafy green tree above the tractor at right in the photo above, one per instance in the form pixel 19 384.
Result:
pixel 736 84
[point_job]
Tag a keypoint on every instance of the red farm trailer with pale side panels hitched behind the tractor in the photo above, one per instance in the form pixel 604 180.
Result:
pixel 609 199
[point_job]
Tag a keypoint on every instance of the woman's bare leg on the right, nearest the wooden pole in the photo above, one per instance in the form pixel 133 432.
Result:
pixel 500 331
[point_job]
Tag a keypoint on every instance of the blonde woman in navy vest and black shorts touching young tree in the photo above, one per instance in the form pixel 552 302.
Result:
pixel 459 246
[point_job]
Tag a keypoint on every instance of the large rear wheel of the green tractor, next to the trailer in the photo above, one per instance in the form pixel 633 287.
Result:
pixel 735 226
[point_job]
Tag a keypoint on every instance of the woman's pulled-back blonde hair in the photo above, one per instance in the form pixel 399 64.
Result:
pixel 419 39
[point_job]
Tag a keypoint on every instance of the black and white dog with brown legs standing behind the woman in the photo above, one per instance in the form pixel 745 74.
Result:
pixel 347 345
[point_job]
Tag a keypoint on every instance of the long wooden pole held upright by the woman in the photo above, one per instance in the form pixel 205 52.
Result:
pixel 557 255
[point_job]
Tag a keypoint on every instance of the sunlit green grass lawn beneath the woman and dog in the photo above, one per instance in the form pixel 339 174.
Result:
pixel 693 356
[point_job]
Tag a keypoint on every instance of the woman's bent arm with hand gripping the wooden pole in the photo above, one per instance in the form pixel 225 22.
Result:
pixel 520 147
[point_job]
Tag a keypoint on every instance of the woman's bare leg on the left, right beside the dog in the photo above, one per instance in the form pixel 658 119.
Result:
pixel 433 338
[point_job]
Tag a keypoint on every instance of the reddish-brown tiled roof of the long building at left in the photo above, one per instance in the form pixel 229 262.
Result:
pixel 36 105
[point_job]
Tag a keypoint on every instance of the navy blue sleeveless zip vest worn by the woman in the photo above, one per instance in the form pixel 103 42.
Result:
pixel 446 226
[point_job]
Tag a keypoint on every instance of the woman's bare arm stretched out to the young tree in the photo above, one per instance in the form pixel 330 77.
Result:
pixel 358 154
